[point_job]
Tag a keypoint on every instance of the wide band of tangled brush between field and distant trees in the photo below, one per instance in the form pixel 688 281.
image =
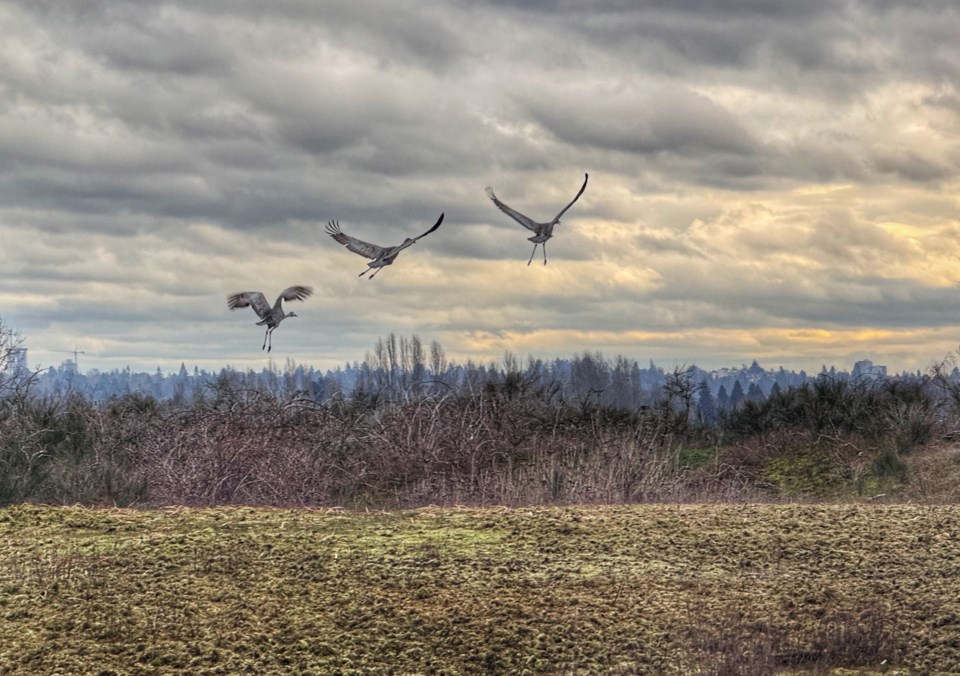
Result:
pixel 506 442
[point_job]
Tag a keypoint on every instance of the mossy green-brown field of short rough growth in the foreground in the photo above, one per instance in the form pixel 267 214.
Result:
pixel 707 589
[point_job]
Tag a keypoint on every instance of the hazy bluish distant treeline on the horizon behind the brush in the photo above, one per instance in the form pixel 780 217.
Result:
pixel 403 367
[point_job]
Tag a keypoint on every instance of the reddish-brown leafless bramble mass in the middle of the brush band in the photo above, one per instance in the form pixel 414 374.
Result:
pixel 495 446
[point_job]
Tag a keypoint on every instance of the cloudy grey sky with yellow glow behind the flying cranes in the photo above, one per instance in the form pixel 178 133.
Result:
pixel 768 179
